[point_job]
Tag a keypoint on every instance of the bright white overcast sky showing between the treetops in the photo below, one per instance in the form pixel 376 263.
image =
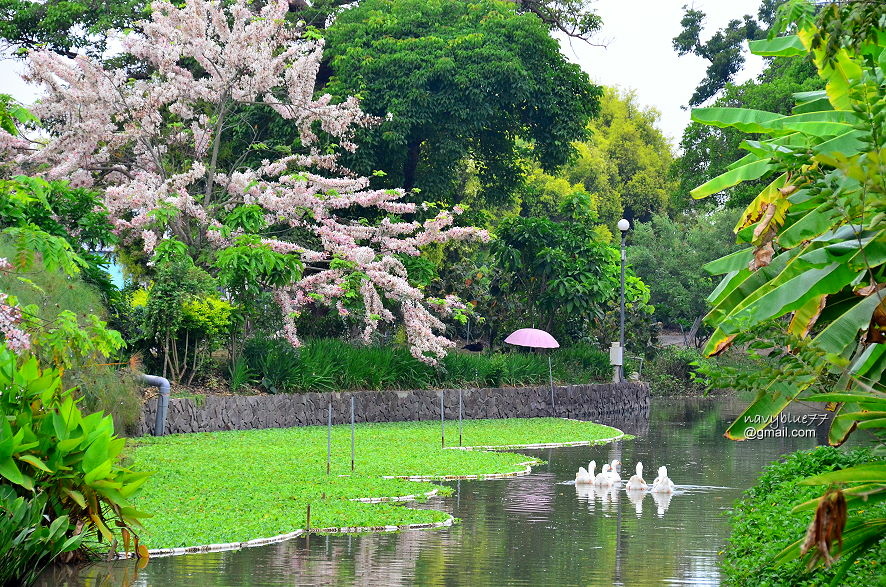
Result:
pixel 639 55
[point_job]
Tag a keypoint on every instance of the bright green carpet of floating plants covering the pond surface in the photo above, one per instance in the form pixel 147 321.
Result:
pixel 236 486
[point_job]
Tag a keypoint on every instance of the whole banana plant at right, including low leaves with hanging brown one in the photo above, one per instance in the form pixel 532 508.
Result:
pixel 815 267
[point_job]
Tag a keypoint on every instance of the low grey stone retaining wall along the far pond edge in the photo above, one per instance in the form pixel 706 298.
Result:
pixel 613 404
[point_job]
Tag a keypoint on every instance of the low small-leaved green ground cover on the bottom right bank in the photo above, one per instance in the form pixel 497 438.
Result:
pixel 763 525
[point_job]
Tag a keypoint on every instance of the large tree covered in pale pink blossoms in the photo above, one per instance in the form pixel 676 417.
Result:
pixel 154 145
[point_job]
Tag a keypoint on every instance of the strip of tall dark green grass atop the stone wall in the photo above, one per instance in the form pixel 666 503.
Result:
pixel 330 364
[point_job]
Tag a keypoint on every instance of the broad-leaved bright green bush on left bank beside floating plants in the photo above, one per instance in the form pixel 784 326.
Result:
pixel 48 446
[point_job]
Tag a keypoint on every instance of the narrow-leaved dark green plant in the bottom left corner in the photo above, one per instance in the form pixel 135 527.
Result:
pixel 27 543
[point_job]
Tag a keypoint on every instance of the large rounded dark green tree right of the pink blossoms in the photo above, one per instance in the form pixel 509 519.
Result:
pixel 460 81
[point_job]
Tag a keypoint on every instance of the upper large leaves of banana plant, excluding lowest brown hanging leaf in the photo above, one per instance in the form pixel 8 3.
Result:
pixel 816 233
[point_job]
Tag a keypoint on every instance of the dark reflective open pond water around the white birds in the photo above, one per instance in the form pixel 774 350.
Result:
pixel 534 530
